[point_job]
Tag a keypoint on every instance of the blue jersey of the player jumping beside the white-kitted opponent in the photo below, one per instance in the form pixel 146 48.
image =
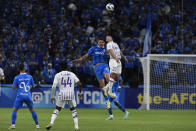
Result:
pixel 98 54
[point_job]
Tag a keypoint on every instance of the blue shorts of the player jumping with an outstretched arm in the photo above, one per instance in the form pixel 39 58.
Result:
pixel 100 70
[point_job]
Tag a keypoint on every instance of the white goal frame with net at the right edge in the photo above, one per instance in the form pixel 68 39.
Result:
pixel 169 81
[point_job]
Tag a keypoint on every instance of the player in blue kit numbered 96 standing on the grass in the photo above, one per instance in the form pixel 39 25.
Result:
pixel 23 83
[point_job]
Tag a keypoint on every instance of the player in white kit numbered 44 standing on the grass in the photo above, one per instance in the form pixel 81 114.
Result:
pixel 66 81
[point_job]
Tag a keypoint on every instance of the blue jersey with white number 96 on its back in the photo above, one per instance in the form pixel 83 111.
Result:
pixel 23 82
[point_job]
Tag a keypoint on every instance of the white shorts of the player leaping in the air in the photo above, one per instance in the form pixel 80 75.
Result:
pixel 115 67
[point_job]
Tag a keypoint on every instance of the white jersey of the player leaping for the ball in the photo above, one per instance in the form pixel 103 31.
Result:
pixel 114 46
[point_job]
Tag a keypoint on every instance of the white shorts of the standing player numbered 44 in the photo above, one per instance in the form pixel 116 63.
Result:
pixel 61 103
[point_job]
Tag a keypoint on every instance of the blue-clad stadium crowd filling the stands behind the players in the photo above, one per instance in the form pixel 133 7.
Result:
pixel 41 33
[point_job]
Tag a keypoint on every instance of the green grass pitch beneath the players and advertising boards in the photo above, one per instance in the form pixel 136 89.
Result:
pixel 94 120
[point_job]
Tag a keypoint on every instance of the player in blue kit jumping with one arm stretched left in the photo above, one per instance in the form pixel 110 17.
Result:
pixel 100 61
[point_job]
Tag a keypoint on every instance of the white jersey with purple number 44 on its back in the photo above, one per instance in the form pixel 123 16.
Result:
pixel 66 81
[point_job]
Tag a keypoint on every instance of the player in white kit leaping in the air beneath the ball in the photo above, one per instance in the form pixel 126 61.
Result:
pixel 114 63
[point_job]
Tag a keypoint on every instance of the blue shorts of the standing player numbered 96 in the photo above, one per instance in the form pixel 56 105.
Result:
pixel 23 98
